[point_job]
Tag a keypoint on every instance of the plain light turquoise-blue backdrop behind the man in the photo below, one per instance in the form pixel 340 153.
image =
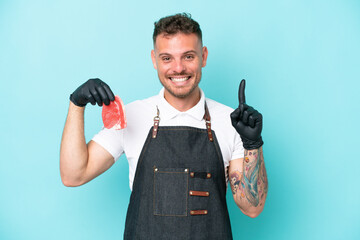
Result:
pixel 301 62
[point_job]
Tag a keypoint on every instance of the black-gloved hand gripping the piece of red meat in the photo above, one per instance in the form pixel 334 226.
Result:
pixel 93 91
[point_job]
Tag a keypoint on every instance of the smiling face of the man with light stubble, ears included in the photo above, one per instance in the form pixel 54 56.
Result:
pixel 178 60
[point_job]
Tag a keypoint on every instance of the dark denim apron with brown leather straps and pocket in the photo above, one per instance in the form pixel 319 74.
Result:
pixel 179 189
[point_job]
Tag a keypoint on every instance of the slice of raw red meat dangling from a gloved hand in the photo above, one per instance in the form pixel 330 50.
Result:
pixel 114 114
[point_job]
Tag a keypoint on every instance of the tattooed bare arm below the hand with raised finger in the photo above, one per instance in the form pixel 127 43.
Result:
pixel 248 182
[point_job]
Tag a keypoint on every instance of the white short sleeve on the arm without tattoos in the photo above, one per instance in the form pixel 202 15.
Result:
pixel 112 140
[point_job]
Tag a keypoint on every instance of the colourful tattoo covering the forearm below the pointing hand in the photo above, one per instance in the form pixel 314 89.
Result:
pixel 251 184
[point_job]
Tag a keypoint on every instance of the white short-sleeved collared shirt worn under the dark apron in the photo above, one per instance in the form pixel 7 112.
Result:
pixel 140 118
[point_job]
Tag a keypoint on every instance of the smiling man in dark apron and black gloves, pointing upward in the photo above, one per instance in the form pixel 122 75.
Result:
pixel 179 144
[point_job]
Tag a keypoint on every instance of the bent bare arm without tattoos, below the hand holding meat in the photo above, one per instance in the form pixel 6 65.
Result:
pixel 80 162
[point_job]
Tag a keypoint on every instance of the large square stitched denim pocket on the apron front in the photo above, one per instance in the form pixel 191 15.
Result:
pixel 170 191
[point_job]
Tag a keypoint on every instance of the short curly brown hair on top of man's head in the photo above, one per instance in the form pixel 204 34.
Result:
pixel 181 22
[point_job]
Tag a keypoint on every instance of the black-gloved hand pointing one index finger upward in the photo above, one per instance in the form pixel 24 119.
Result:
pixel 247 122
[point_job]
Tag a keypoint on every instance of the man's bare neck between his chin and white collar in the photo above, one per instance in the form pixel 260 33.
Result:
pixel 183 104
